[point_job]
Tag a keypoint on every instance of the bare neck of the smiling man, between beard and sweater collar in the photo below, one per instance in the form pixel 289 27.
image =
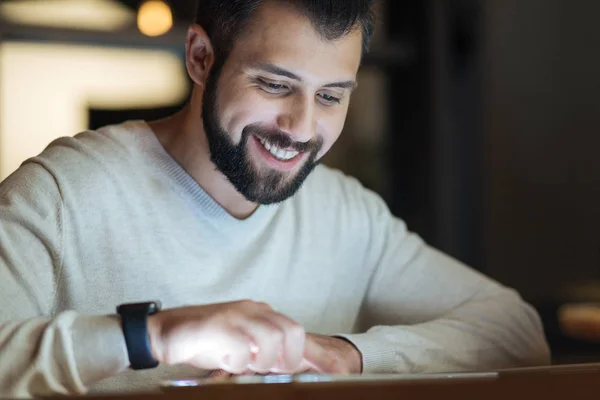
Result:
pixel 183 137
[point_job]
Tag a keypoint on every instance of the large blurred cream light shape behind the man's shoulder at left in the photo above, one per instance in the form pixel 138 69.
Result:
pixel 40 101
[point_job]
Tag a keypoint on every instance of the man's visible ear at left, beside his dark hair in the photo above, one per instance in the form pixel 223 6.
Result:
pixel 200 56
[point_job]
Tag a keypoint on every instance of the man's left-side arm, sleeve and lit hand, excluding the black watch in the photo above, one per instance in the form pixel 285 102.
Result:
pixel 47 352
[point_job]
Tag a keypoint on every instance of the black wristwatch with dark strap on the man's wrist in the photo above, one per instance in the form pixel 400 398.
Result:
pixel 134 318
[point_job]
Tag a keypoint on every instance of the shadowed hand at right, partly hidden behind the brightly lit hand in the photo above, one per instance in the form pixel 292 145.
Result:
pixel 322 354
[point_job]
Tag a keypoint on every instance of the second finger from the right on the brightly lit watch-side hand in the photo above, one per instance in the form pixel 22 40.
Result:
pixel 267 339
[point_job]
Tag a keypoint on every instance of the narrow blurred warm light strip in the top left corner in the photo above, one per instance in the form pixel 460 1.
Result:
pixel 103 15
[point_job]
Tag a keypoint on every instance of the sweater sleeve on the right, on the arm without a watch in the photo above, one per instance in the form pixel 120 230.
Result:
pixel 427 312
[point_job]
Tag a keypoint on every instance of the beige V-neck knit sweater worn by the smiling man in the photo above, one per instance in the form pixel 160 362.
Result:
pixel 108 217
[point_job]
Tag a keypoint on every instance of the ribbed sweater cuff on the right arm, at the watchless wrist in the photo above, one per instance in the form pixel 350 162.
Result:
pixel 377 357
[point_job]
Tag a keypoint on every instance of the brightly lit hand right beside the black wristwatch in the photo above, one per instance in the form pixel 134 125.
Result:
pixel 235 337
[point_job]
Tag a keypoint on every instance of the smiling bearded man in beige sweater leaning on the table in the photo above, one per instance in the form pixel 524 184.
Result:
pixel 263 261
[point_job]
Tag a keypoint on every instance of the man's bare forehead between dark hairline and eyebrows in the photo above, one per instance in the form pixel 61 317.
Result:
pixel 280 35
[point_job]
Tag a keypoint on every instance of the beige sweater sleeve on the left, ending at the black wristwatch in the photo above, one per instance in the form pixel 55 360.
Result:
pixel 43 353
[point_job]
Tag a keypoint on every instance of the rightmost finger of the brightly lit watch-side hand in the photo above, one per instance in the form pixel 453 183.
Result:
pixel 294 337
